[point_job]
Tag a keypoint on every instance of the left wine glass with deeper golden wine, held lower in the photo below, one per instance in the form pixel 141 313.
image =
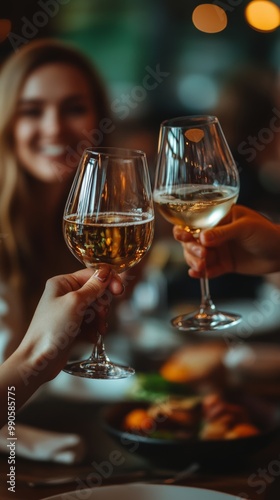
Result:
pixel 108 218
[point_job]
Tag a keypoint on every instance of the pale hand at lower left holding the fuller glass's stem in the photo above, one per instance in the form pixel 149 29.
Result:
pixel 69 304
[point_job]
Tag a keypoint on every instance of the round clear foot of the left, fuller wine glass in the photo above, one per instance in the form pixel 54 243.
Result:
pixel 98 370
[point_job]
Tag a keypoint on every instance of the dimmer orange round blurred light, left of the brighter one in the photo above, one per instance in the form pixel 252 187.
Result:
pixel 209 18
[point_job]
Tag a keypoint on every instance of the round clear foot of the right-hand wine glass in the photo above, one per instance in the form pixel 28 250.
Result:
pixel 203 321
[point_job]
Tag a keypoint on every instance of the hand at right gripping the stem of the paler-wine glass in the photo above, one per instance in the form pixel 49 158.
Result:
pixel 244 242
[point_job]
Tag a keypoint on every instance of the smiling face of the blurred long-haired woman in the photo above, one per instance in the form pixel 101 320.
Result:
pixel 54 112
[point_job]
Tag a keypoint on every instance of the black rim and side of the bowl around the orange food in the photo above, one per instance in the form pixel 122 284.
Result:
pixel 183 451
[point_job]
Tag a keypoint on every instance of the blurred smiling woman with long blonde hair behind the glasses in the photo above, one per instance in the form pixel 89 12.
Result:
pixel 52 106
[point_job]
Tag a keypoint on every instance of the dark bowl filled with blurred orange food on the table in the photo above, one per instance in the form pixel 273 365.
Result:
pixel 179 428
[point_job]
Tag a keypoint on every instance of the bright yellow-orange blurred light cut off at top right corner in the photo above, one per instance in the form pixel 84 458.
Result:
pixel 263 15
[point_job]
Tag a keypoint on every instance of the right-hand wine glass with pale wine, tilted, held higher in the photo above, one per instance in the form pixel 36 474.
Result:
pixel 196 183
